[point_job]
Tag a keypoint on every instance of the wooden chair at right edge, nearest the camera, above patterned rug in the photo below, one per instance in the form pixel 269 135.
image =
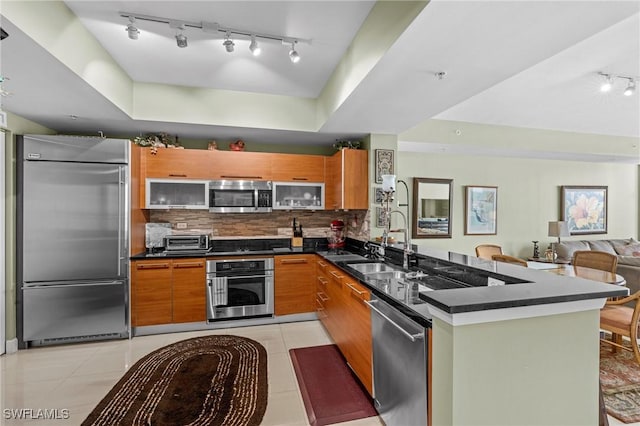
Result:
pixel 620 320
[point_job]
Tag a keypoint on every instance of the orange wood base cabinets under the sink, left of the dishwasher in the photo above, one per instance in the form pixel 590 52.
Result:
pixel 341 308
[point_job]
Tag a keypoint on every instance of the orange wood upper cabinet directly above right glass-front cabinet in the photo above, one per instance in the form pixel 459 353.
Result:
pixel 297 168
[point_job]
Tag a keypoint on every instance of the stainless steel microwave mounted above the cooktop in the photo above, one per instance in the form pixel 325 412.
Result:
pixel 239 196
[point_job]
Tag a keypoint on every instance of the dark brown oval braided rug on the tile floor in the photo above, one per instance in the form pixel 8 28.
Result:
pixel 212 380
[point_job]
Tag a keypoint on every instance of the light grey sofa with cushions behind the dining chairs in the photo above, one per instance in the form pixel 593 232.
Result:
pixel 627 250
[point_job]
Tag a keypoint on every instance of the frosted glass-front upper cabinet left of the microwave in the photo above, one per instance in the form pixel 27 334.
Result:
pixel 177 194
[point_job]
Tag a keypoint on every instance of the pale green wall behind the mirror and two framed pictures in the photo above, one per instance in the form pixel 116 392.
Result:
pixel 529 192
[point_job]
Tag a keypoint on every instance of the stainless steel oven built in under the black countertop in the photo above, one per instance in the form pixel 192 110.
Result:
pixel 238 288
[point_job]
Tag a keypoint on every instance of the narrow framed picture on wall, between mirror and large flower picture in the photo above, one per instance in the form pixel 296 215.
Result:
pixel 481 210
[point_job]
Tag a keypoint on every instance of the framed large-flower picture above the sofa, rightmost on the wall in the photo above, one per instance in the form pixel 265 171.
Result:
pixel 584 209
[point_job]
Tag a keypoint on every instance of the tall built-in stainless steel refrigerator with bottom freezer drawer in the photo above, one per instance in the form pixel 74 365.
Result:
pixel 72 239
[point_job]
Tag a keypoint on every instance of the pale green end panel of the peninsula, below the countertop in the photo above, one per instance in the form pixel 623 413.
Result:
pixel 534 371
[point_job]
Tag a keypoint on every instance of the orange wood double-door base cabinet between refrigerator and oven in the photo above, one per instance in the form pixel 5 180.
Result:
pixel 167 291
